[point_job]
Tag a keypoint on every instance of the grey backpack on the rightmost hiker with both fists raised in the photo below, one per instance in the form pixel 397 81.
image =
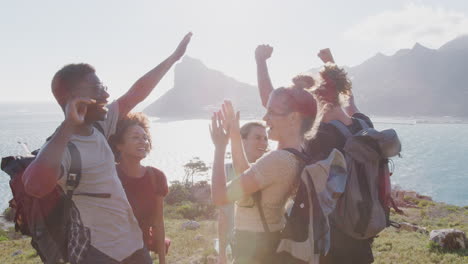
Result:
pixel 363 211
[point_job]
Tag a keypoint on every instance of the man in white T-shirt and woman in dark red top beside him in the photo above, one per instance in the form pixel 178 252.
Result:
pixel 116 214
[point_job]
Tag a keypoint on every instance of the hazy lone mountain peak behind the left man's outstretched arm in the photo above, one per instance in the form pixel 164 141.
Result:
pixel 198 91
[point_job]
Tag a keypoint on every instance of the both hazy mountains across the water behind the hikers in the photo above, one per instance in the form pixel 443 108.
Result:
pixel 412 82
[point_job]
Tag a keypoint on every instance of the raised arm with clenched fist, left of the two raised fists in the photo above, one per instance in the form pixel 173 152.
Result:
pixel 265 87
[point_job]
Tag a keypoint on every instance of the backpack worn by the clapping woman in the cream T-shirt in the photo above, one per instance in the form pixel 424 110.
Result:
pixel 320 184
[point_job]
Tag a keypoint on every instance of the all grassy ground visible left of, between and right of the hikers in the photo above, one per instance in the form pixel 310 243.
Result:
pixel 392 245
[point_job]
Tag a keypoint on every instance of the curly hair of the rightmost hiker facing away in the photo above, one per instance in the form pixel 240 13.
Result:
pixel 335 81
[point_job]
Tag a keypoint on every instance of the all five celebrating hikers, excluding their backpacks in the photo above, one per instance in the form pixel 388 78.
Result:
pixel 117 208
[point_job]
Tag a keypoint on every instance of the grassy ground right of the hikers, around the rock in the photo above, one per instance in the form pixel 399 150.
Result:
pixel 394 246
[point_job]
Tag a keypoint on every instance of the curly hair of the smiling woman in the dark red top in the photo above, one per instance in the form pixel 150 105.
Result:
pixel 132 119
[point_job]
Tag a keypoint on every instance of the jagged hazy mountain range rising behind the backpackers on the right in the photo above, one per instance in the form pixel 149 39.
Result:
pixel 415 82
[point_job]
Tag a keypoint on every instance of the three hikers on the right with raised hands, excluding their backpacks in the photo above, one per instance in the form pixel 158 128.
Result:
pixel 297 118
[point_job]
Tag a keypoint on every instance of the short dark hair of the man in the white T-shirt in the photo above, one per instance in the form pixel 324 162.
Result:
pixel 67 78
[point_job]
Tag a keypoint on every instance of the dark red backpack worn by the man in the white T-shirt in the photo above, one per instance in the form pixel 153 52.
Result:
pixel 47 220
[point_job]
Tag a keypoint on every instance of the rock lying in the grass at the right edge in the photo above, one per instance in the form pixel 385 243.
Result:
pixel 451 239
